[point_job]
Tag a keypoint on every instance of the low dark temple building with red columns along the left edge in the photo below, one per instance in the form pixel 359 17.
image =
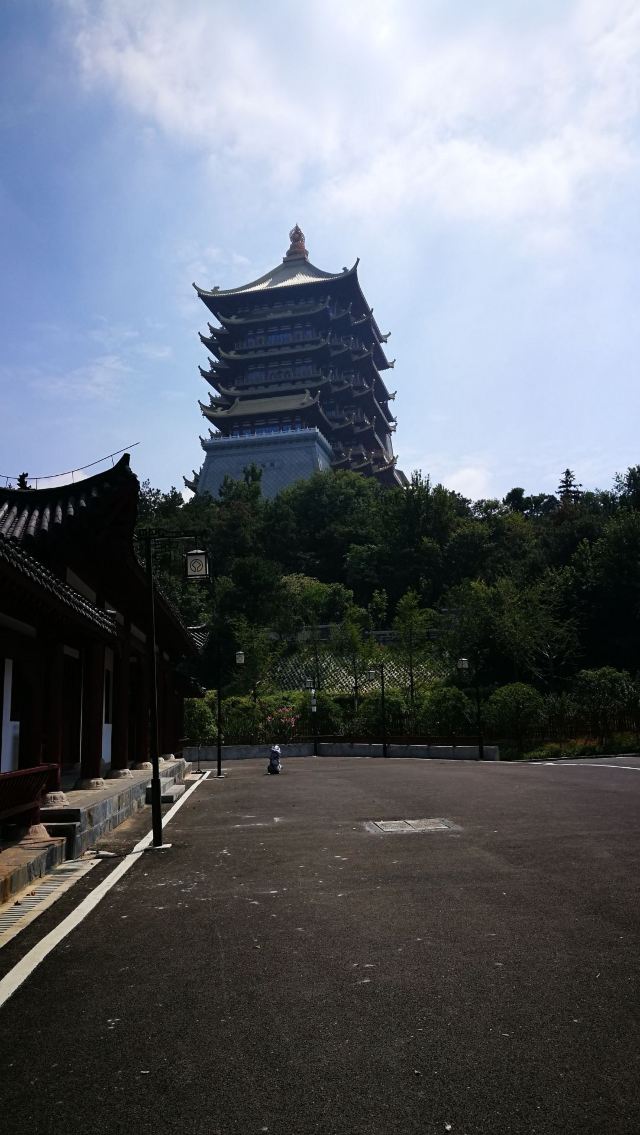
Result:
pixel 75 674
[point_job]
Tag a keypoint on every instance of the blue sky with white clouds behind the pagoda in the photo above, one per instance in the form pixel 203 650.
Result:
pixel 481 157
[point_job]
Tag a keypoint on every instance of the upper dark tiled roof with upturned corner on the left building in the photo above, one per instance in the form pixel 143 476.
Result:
pixel 44 514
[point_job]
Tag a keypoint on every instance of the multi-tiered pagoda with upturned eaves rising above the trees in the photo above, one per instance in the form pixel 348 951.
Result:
pixel 296 363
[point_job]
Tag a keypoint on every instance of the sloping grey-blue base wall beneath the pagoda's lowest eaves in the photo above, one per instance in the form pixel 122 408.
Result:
pixel 283 458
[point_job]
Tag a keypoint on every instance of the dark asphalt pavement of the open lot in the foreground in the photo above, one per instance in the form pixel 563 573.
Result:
pixel 288 968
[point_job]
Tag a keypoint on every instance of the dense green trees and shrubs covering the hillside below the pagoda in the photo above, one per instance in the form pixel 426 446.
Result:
pixel 534 591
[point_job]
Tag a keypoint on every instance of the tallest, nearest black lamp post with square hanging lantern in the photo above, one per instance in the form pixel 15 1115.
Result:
pixel 151 536
